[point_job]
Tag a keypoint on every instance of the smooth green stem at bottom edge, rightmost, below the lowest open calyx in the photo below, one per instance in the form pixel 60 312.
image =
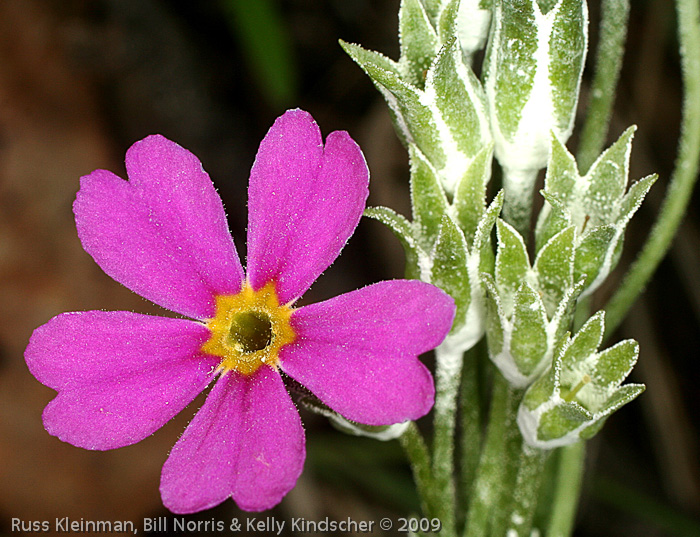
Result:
pixel 567 490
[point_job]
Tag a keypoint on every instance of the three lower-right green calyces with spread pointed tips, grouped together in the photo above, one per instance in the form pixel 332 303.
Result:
pixel 578 239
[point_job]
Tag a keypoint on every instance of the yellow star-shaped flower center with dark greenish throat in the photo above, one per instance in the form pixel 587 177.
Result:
pixel 249 329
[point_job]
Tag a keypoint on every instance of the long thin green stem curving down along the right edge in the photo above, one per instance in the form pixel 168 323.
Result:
pixel 684 175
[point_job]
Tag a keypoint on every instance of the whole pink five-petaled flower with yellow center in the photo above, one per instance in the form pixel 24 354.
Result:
pixel 120 376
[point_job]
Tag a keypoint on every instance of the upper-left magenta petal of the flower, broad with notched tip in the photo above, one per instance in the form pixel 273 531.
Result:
pixel 163 234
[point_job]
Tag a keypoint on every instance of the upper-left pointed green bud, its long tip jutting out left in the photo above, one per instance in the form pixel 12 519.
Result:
pixel 436 100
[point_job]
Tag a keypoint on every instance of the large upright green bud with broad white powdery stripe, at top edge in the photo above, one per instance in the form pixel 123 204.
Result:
pixel 533 73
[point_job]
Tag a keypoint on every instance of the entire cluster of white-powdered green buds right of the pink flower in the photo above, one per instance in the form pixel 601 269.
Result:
pixel 522 112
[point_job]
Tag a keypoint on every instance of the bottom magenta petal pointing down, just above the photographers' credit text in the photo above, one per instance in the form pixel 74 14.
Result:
pixel 246 442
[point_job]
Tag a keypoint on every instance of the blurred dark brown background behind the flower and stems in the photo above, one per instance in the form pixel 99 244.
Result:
pixel 81 80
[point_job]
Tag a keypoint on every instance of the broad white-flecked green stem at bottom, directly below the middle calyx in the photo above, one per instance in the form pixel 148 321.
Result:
pixel 496 467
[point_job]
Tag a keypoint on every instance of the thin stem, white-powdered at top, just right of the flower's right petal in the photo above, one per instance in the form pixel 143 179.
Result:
pixel 448 373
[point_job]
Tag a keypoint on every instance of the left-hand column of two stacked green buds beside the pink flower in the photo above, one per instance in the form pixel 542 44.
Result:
pixel 439 111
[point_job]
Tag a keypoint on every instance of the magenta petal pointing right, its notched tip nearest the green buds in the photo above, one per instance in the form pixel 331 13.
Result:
pixel 358 352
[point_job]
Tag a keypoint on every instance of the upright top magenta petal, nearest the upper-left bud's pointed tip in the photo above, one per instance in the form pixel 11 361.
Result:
pixel 304 203
